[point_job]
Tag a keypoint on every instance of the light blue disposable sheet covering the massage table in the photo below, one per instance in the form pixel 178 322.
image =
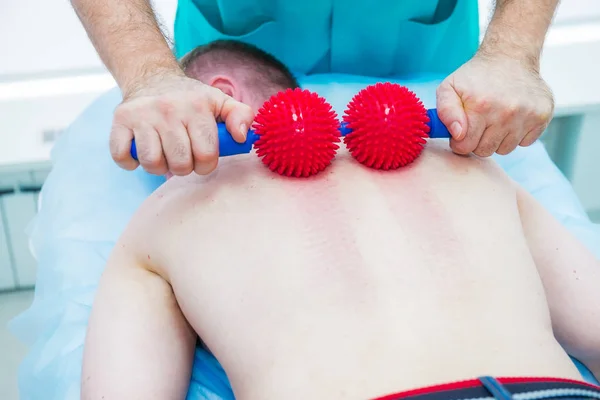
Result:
pixel 84 210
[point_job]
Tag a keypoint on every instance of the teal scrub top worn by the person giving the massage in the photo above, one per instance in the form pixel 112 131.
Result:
pixel 382 38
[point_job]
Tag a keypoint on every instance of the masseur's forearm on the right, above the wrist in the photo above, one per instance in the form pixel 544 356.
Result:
pixel 518 29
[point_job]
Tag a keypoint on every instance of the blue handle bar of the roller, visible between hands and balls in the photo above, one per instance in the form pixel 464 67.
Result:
pixel 229 147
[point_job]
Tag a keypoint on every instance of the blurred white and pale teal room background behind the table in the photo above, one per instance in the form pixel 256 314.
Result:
pixel 49 73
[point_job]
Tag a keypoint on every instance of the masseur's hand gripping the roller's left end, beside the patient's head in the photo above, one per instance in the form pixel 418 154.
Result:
pixel 173 120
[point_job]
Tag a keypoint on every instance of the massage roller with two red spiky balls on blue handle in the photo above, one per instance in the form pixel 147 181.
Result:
pixel 296 132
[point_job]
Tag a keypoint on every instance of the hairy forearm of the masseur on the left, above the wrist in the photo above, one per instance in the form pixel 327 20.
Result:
pixel 127 38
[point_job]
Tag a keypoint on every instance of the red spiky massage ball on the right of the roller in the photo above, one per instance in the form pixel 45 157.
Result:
pixel 389 126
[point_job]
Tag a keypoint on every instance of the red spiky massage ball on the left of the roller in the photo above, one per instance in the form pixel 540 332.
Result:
pixel 298 131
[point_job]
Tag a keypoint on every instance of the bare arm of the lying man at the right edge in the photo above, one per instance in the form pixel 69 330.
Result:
pixel 571 278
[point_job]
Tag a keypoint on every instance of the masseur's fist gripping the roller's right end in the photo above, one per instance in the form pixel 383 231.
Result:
pixel 494 103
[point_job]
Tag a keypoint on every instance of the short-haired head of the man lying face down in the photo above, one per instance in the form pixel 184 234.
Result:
pixel 240 70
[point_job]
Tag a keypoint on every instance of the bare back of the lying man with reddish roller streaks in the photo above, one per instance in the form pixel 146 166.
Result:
pixel 400 278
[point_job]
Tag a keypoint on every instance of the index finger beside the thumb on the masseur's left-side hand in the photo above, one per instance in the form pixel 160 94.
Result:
pixel 204 141
